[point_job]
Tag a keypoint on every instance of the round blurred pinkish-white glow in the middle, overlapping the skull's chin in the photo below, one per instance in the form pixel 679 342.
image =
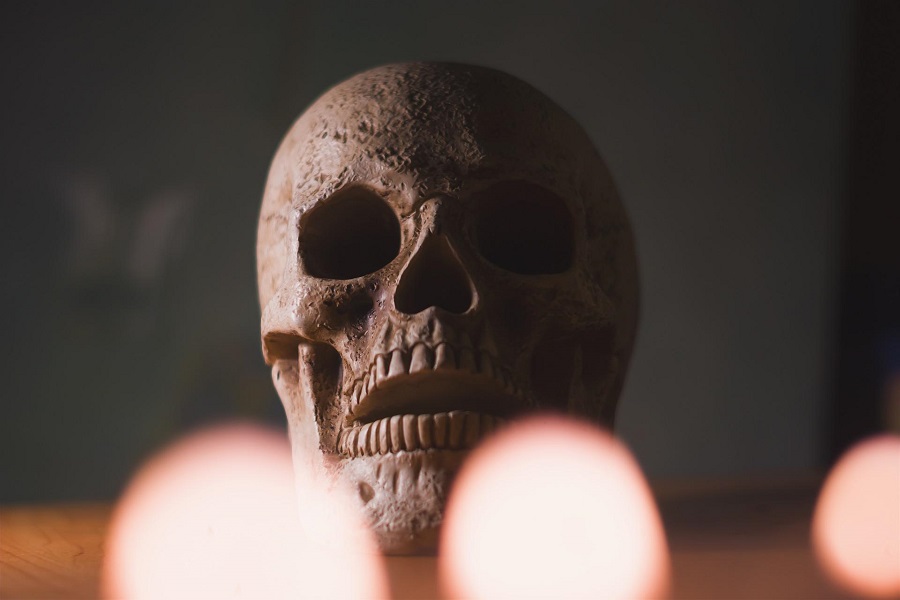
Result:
pixel 553 508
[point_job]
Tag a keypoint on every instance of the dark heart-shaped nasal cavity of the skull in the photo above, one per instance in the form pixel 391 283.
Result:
pixel 434 277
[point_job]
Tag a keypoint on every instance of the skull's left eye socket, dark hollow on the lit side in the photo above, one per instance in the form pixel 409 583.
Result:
pixel 352 233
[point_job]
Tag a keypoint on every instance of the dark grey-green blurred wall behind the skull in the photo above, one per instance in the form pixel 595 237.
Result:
pixel 755 145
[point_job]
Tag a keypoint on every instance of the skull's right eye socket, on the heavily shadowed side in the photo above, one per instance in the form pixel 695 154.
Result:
pixel 523 228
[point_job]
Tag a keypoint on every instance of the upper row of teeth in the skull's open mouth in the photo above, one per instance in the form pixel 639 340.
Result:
pixel 423 358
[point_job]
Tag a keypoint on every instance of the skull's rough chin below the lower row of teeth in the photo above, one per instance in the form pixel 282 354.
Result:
pixel 402 495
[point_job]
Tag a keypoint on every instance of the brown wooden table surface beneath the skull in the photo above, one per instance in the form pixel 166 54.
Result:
pixel 727 539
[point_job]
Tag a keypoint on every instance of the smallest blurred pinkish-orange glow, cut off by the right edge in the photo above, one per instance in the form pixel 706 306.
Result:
pixel 856 527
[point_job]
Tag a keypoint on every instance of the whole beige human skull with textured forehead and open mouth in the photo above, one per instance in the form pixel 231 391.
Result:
pixel 441 248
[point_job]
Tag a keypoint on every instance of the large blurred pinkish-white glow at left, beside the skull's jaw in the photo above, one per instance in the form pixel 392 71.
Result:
pixel 215 516
